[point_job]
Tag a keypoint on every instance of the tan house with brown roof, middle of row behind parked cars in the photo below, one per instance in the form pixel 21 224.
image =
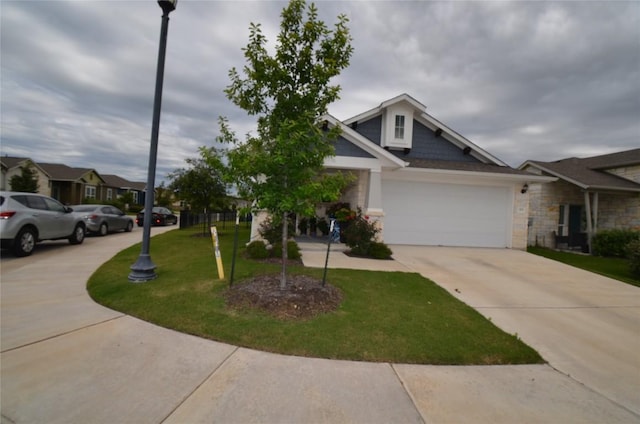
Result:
pixel 72 185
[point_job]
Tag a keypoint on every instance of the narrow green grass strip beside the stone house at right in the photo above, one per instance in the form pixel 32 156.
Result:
pixel 616 268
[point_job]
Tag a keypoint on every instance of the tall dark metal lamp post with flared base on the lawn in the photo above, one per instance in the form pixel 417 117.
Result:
pixel 144 268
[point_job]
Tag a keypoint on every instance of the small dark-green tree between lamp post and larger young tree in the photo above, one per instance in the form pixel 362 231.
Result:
pixel 202 184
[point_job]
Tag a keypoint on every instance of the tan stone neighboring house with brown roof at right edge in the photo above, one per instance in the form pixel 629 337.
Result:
pixel 590 194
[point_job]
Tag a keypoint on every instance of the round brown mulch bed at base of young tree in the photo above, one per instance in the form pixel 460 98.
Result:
pixel 303 297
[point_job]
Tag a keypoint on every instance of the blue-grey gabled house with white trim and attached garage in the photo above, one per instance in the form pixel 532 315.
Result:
pixel 425 184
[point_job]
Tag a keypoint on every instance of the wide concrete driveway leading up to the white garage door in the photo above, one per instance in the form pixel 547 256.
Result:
pixel 585 325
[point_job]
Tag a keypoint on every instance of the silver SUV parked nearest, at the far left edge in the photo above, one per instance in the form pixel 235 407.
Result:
pixel 27 218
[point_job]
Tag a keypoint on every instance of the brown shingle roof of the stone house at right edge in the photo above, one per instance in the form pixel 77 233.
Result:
pixel 590 173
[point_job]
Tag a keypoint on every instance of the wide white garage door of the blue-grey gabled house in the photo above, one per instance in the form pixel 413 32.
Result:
pixel 446 214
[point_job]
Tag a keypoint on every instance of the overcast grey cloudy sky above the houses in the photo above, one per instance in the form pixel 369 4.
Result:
pixel 523 80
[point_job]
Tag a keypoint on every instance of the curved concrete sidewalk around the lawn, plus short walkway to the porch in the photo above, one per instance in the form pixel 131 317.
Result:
pixel 67 360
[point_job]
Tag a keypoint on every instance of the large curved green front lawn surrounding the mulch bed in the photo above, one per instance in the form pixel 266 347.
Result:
pixel 385 316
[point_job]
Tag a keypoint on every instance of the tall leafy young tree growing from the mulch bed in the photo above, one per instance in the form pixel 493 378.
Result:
pixel 289 91
